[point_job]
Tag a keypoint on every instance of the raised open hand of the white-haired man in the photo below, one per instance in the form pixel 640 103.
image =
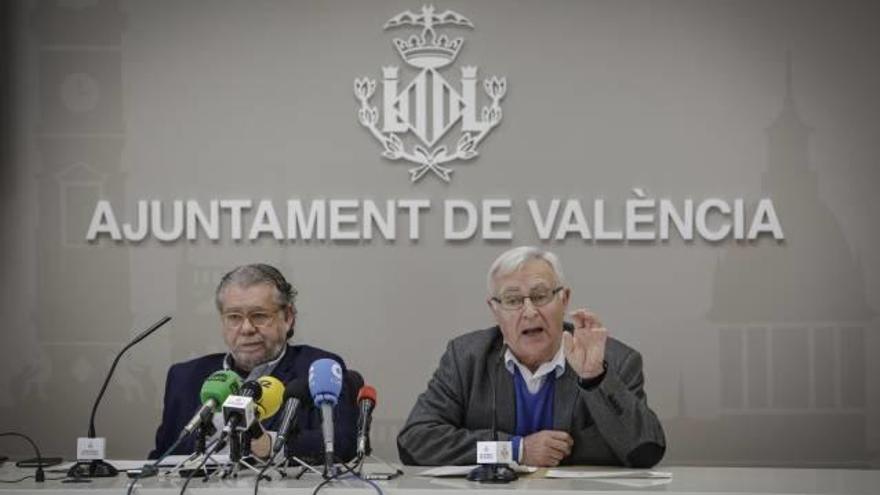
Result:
pixel 585 348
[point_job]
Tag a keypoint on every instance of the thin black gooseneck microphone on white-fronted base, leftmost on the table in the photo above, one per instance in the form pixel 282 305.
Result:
pixel 92 447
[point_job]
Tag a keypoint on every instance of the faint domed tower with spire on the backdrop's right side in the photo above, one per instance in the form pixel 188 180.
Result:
pixel 792 322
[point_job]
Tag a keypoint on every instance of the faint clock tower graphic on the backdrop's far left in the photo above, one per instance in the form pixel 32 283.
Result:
pixel 83 311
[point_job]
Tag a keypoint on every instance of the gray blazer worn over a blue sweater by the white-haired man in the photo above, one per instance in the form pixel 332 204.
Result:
pixel 610 422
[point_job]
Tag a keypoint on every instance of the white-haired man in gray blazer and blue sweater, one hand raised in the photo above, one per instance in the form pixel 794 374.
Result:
pixel 564 393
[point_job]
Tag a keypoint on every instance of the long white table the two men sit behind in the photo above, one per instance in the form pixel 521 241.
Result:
pixel 683 481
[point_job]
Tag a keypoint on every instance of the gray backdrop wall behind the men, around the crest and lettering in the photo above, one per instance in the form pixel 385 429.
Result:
pixel 755 352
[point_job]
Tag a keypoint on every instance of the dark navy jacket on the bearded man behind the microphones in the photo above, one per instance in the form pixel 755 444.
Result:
pixel 182 401
